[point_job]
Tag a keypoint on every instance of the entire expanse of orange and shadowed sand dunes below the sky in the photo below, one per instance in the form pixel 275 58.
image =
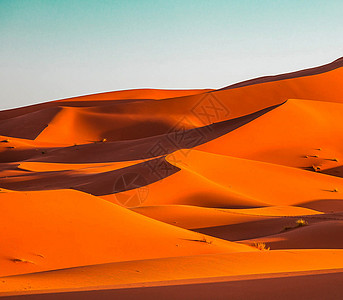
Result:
pixel 117 190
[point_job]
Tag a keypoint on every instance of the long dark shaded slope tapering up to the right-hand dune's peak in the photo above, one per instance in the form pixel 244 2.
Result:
pixel 149 147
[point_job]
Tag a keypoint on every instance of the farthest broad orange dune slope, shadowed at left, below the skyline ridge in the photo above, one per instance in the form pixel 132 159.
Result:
pixel 231 103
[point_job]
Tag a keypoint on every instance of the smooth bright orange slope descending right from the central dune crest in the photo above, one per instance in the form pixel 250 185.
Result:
pixel 286 185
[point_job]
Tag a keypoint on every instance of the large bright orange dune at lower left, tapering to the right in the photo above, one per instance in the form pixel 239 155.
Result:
pixel 43 229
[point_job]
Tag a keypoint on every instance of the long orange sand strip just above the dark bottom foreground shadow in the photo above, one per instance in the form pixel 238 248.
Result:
pixel 174 268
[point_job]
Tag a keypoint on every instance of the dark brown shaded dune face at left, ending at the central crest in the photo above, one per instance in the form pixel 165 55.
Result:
pixel 98 184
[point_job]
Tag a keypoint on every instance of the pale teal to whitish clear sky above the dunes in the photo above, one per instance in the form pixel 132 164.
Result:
pixel 53 49
